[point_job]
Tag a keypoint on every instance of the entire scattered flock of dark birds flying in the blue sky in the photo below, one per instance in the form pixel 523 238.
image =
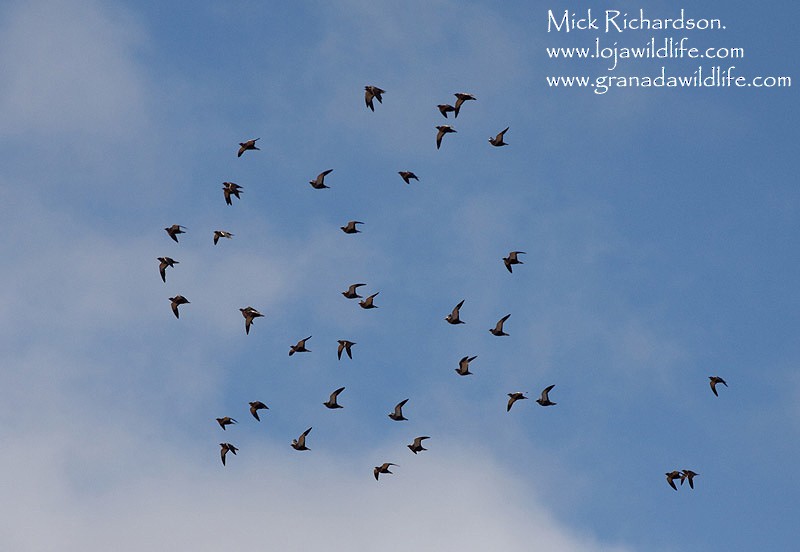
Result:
pixel 231 189
